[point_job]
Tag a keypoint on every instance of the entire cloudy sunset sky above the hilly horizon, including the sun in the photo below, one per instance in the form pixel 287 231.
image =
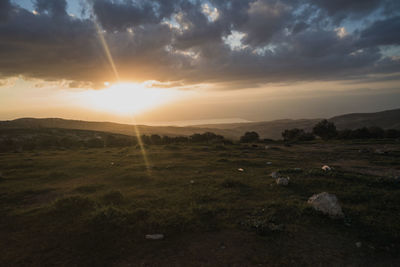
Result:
pixel 180 61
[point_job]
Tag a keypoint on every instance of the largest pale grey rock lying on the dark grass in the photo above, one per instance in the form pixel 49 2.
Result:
pixel 327 204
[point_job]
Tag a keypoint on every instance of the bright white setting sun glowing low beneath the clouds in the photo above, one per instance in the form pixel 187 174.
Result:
pixel 129 98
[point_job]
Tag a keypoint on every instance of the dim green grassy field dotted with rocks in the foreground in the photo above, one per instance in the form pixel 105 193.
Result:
pixel 94 207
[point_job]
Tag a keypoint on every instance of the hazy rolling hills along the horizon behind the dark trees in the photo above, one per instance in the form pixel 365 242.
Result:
pixel 269 129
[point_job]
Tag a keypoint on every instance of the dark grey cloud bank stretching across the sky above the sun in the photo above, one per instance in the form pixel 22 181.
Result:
pixel 185 42
